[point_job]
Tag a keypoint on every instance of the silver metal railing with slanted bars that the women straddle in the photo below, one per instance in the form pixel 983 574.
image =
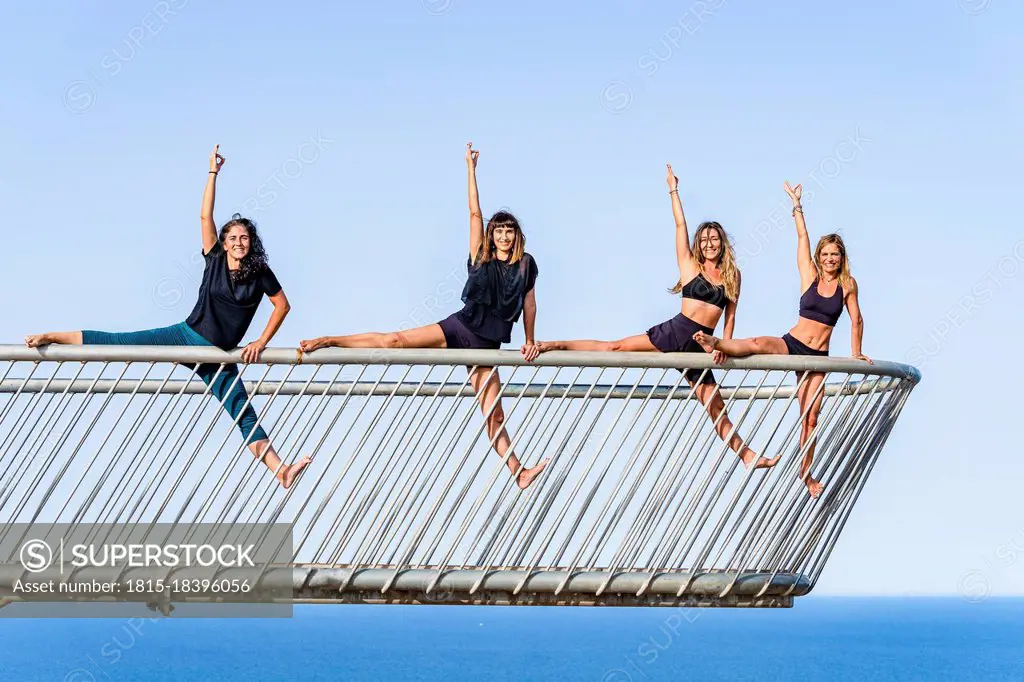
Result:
pixel 406 500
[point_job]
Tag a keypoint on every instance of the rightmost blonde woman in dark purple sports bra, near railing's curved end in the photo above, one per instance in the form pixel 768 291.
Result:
pixel 828 286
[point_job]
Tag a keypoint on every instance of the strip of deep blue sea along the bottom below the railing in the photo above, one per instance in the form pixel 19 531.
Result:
pixel 821 638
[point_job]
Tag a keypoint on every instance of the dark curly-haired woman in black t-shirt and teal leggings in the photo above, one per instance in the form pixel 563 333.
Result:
pixel 236 278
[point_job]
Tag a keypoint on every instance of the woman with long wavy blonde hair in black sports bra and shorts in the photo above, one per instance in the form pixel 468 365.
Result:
pixel 711 289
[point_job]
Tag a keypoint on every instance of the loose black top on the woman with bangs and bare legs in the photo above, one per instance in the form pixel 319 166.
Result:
pixel 494 295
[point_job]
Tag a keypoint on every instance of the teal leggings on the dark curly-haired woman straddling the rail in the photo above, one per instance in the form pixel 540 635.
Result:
pixel 231 393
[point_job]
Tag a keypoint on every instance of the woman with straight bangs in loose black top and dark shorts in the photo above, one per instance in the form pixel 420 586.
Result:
pixel 499 289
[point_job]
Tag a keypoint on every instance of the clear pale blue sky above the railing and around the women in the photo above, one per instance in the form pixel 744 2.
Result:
pixel 903 118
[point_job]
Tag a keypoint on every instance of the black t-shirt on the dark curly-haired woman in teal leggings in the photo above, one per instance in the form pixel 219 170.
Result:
pixel 226 309
